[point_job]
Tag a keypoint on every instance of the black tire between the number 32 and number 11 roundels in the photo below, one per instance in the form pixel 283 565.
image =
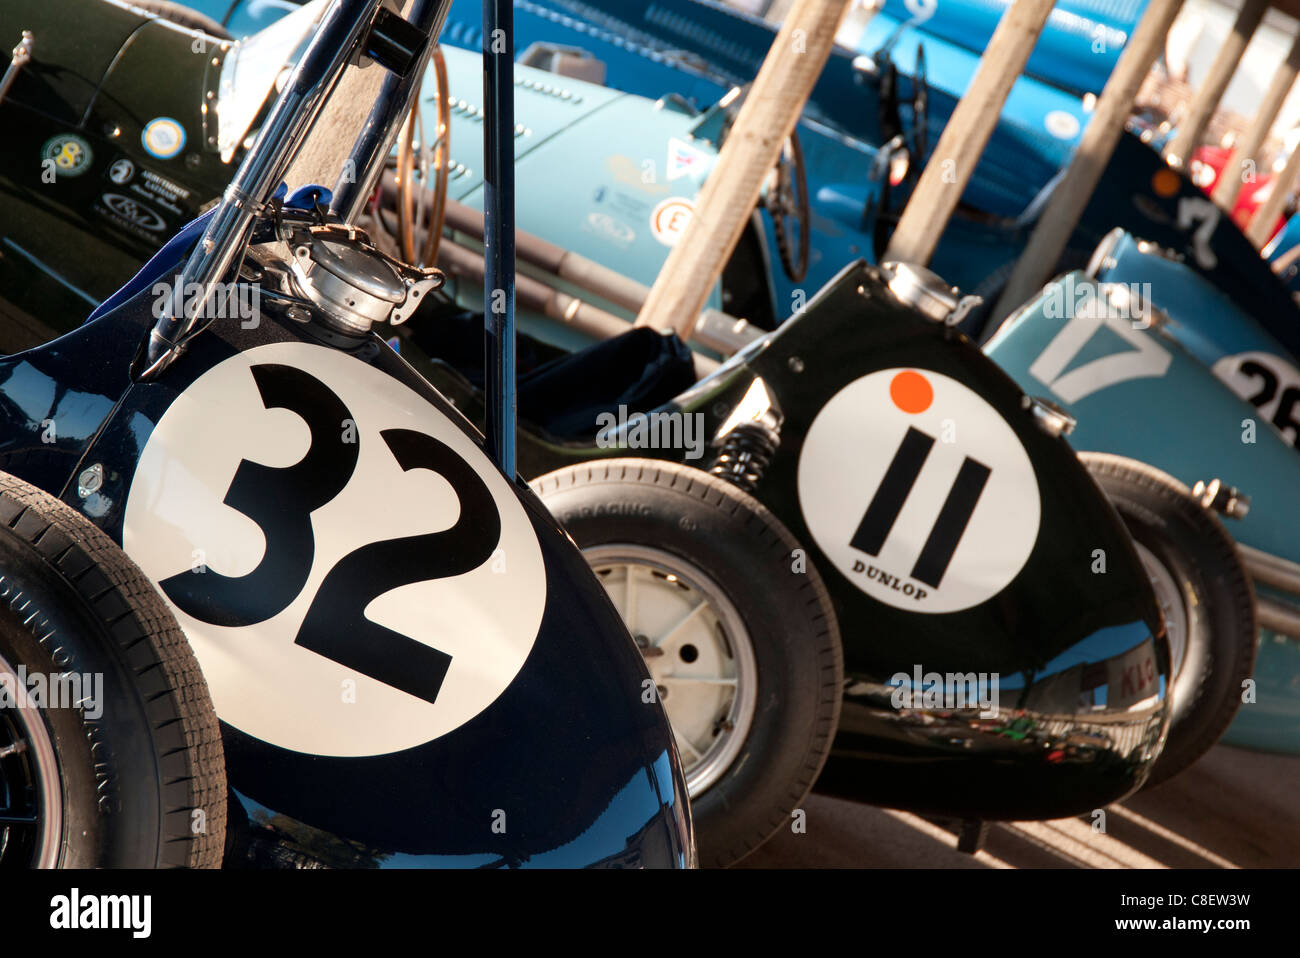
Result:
pixel 688 515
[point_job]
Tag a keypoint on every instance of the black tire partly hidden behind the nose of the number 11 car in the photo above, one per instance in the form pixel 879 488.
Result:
pixel 1219 600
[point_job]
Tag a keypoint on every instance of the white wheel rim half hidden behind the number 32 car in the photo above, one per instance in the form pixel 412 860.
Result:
pixel 696 648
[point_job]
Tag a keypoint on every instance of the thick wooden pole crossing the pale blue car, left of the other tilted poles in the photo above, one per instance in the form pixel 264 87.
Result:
pixel 766 119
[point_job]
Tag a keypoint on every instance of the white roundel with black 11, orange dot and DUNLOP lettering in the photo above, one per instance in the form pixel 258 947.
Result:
pixel 918 492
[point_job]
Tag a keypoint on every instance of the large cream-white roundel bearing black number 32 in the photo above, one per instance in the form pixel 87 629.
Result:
pixel 354 575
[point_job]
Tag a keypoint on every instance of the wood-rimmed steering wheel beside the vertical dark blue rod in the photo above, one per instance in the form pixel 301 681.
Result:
pixel 411 214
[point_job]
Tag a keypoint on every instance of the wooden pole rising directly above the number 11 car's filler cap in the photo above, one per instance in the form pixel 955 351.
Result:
pixel 960 146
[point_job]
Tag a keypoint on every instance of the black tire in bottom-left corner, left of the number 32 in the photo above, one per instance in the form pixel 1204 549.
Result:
pixel 140 760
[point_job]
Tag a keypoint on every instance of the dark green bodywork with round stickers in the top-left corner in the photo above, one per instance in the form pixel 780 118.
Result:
pixel 71 236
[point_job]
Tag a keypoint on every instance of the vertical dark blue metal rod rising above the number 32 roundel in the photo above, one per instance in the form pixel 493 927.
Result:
pixel 500 231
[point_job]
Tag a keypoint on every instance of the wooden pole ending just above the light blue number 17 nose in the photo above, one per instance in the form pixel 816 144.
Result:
pixel 1107 125
